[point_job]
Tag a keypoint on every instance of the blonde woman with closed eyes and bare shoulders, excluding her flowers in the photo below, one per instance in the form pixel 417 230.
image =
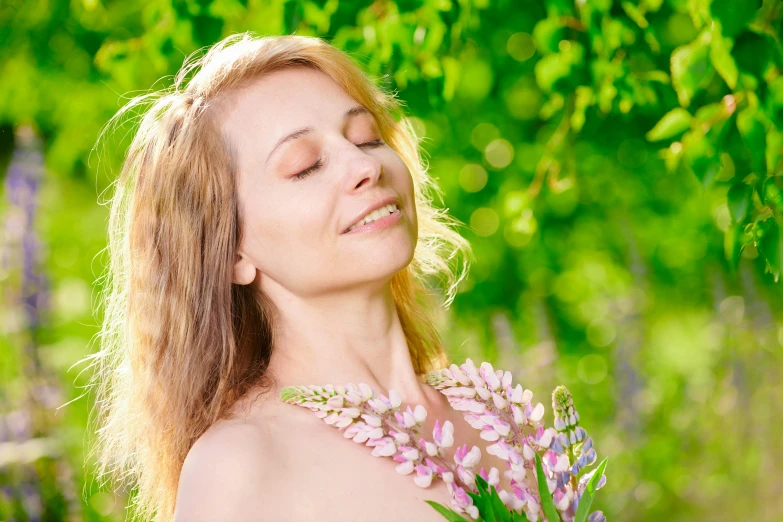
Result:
pixel 272 226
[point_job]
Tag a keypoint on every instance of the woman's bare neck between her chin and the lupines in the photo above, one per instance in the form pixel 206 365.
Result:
pixel 351 337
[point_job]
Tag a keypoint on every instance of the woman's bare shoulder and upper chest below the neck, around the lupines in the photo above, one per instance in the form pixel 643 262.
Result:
pixel 303 469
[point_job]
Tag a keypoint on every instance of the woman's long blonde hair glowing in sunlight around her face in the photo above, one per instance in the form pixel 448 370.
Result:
pixel 179 342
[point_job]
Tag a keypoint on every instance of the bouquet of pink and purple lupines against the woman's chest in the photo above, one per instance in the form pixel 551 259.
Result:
pixel 546 465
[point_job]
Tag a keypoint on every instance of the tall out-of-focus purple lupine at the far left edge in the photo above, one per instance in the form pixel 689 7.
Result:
pixel 44 485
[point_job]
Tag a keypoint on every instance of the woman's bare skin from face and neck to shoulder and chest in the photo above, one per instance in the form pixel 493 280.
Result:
pixel 336 320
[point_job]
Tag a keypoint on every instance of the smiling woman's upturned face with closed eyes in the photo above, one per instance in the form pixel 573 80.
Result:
pixel 311 165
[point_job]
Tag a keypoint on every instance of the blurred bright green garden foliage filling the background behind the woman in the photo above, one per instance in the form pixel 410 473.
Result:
pixel 619 166
